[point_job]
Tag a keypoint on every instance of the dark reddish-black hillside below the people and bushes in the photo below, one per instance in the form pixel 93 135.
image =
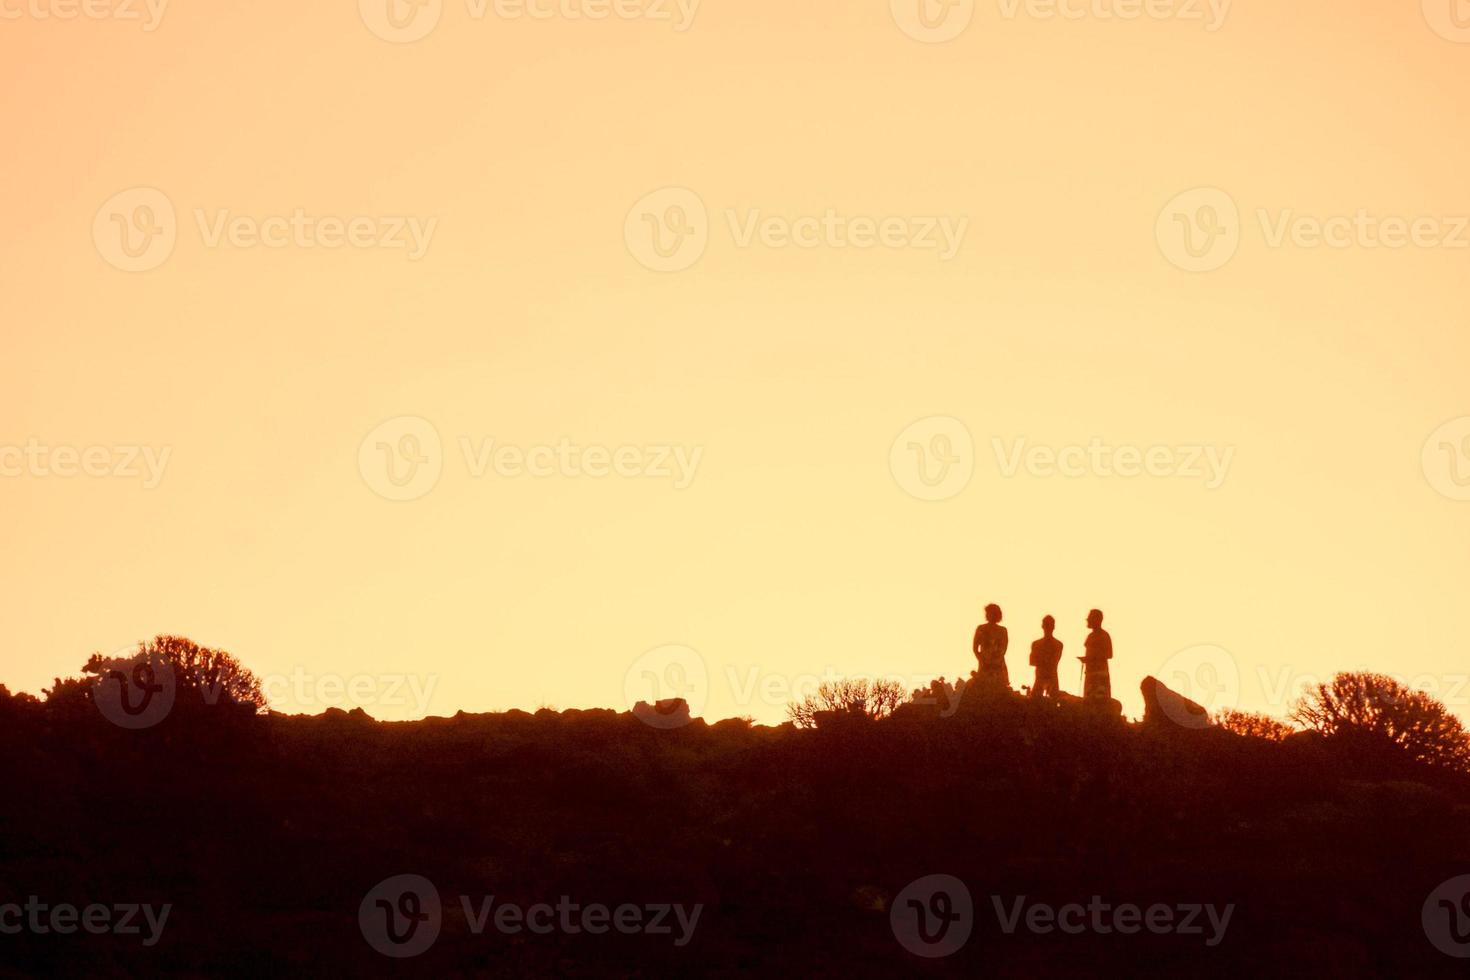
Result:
pixel 271 838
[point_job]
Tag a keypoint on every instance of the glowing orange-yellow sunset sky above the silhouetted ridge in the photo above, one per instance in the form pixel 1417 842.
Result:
pixel 784 312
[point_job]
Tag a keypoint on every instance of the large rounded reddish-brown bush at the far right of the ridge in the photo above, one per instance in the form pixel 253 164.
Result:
pixel 1375 709
